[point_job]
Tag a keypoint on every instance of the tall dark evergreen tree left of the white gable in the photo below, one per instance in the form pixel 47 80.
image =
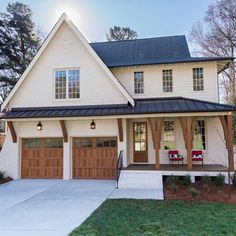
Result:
pixel 18 44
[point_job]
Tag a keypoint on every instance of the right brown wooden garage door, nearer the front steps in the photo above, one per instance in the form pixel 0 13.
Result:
pixel 94 158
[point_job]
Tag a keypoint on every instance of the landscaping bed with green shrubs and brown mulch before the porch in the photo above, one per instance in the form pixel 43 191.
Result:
pixel 210 190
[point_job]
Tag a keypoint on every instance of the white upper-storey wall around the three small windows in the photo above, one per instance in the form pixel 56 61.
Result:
pixel 182 80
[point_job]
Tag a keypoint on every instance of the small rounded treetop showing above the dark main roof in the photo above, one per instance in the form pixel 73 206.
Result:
pixel 121 33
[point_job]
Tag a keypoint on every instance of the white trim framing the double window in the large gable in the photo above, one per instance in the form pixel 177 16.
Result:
pixel 67 87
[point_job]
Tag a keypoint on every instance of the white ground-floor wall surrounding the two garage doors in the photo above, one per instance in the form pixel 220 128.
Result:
pixel 10 156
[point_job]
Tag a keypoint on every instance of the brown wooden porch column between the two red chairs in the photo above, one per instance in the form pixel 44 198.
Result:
pixel 188 125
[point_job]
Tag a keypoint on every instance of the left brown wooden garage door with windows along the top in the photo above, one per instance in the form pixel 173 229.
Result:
pixel 42 158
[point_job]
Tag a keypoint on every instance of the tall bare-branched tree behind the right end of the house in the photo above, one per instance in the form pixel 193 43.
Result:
pixel 217 37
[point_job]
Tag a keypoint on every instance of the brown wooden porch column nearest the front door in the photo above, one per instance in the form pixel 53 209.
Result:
pixel 156 125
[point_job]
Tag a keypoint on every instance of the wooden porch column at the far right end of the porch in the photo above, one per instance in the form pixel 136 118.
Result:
pixel 227 124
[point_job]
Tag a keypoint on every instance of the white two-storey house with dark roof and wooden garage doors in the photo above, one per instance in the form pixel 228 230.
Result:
pixel 80 105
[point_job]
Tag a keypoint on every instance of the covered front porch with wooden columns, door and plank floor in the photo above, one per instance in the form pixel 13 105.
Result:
pixel 146 148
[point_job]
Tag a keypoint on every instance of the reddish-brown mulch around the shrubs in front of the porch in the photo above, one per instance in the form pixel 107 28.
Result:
pixel 225 194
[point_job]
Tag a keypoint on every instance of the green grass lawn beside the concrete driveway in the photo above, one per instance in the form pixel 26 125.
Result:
pixel 151 217
